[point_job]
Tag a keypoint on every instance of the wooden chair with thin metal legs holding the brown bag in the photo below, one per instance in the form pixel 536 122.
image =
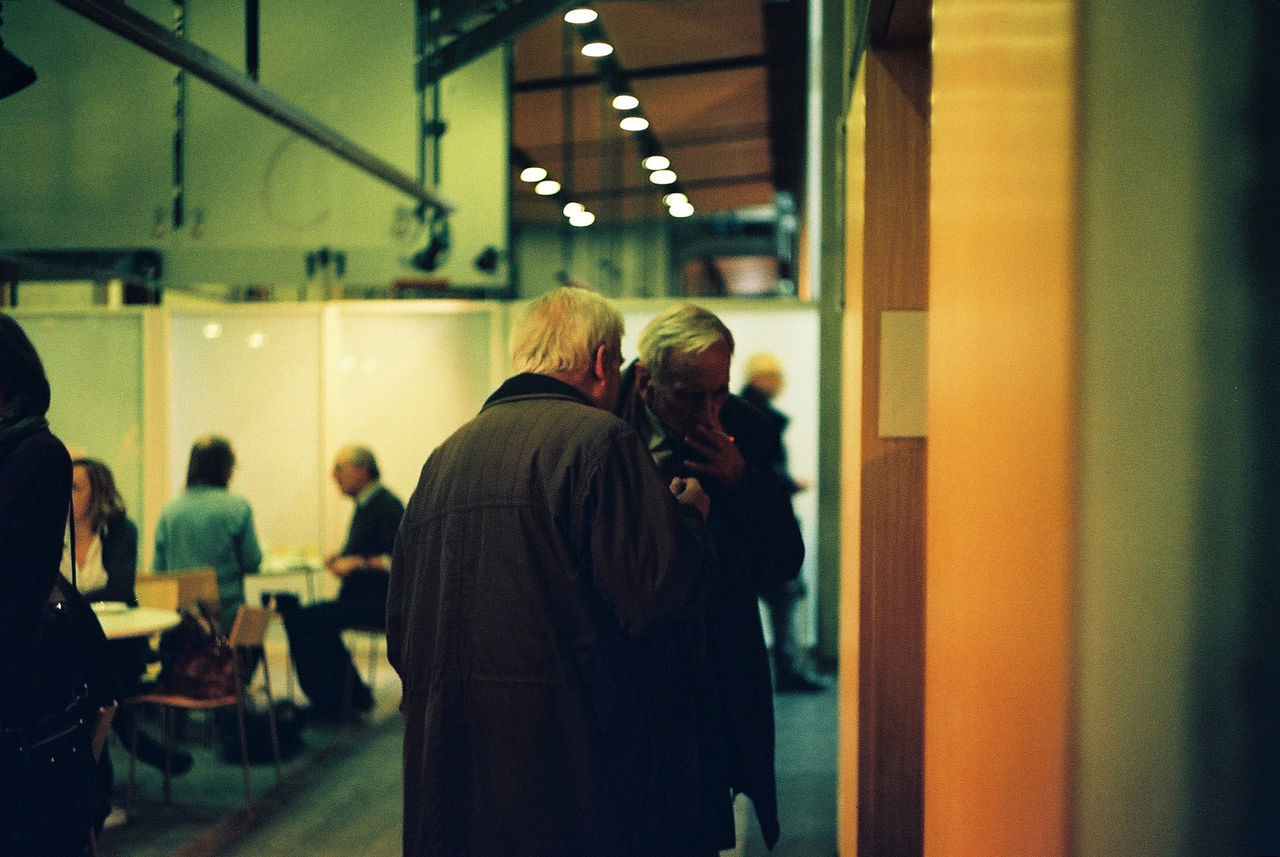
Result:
pixel 248 635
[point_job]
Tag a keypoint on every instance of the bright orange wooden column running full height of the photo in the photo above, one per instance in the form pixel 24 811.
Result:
pixel 1002 430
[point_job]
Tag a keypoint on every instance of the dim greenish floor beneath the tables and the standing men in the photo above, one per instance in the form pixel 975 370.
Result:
pixel 342 795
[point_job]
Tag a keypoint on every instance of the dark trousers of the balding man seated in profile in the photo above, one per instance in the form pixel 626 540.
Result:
pixel 321 659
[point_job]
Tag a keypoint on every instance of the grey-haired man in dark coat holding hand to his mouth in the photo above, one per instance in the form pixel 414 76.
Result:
pixel 678 398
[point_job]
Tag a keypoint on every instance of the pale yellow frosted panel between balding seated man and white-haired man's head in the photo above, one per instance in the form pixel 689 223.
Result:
pixel 401 379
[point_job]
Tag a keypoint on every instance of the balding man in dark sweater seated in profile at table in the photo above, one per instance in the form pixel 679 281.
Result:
pixel 316 631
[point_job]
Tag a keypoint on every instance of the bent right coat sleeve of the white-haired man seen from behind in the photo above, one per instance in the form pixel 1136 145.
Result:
pixel 651 557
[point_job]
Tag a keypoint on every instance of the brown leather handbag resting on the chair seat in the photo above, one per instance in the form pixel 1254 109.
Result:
pixel 195 658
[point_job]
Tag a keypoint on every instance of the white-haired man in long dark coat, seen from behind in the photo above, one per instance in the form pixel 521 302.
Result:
pixel 537 557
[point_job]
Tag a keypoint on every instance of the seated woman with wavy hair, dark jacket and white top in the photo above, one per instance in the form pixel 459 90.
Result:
pixel 107 563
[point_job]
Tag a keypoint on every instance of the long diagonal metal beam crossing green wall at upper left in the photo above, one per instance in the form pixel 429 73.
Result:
pixel 150 36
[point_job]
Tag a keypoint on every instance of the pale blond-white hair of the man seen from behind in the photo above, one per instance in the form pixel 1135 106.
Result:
pixel 563 331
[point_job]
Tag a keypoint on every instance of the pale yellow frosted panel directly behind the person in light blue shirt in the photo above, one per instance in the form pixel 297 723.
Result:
pixel 254 377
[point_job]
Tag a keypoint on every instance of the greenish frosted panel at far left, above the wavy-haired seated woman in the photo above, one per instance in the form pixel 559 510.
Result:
pixel 94 363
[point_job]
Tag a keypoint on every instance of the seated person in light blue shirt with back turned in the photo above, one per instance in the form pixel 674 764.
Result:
pixel 209 526
